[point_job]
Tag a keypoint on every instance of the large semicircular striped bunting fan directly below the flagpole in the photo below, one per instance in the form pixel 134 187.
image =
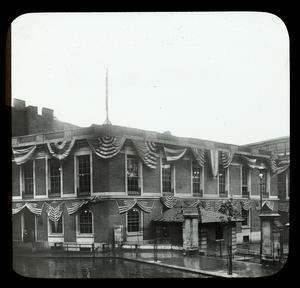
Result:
pixel 106 146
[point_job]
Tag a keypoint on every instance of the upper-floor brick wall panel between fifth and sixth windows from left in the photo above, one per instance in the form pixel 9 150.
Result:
pixel 183 176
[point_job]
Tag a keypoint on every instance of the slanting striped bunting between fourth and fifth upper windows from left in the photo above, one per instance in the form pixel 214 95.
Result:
pixel 147 152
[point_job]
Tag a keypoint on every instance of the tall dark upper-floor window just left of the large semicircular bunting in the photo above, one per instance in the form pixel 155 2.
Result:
pixel 84 174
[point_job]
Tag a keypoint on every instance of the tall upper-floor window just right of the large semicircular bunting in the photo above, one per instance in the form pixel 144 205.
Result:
pixel 132 174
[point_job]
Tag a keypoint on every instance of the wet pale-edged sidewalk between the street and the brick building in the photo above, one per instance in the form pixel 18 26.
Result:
pixel 207 265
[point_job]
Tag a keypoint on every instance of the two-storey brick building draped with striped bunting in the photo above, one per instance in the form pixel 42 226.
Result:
pixel 105 184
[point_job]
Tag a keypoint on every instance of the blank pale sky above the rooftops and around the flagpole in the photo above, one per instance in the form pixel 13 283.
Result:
pixel 220 76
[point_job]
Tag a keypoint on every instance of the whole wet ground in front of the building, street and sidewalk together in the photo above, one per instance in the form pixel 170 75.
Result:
pixel 169 263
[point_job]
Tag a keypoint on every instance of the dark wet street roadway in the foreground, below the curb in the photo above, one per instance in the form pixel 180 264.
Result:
pixel 93 268
